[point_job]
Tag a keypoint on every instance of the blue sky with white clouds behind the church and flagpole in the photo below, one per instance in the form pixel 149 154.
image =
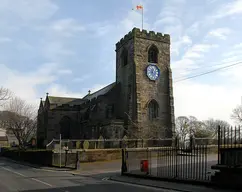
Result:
pixel 66 48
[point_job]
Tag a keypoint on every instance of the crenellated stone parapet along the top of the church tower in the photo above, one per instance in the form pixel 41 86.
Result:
pixel 137 33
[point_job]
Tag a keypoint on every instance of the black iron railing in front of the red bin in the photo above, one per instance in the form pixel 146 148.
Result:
pixel 173 163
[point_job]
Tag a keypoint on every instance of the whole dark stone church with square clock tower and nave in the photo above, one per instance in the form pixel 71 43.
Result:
pixel 139 104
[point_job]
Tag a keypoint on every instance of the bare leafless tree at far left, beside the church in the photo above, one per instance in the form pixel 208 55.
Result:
pixel 20 119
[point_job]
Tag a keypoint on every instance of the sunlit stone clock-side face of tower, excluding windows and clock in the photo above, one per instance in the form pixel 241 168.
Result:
pixel 160 90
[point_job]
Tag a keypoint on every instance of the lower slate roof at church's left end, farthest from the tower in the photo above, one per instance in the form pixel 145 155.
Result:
pixel 65 100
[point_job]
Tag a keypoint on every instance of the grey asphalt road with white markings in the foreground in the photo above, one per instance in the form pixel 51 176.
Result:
pixel 19 178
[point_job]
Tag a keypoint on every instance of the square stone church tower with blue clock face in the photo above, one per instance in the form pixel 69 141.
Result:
pixel 144 74
